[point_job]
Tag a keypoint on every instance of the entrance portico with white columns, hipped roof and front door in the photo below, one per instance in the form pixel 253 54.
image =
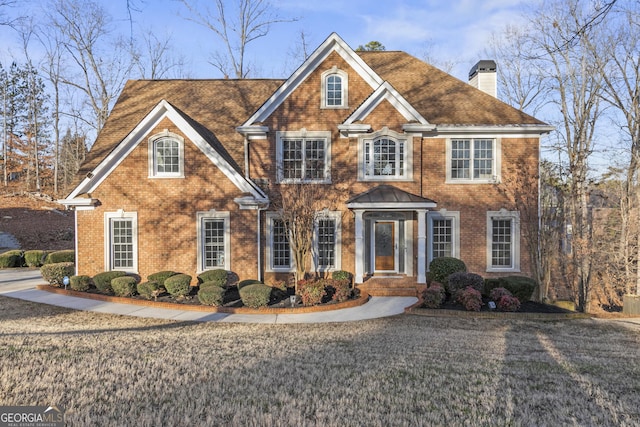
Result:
pixel 386 219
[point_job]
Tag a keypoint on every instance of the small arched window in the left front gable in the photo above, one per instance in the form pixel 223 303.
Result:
pixel 166 156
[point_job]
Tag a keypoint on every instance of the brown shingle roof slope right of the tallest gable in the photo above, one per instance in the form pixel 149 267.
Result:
pixel 439 97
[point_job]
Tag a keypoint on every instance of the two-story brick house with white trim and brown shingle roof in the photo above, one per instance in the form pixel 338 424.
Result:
pixel 176 178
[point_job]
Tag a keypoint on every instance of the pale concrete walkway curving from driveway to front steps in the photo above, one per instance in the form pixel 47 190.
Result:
pixel 20 283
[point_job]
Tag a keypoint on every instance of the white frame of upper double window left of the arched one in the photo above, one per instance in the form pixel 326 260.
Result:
pixel 304 135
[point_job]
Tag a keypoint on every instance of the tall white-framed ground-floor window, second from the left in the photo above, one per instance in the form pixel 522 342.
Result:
pixel 214 240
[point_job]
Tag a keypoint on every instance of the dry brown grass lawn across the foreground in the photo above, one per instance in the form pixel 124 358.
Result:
pixel 402 371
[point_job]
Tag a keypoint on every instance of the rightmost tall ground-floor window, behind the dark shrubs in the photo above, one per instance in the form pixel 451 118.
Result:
pixel 503 241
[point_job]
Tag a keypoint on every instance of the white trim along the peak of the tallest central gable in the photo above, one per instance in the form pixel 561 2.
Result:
pixel 332 44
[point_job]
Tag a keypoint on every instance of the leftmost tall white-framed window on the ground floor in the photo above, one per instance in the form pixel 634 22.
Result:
pixel 121 241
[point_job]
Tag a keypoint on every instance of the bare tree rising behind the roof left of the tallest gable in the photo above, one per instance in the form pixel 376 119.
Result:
pixel 251 20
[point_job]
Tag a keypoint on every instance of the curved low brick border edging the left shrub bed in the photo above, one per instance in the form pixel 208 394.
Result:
pixel 363 298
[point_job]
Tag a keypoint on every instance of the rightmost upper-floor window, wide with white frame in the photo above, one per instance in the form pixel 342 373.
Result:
pixel 473 160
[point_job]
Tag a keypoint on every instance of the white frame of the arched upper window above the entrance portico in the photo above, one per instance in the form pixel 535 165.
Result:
pixel 365 171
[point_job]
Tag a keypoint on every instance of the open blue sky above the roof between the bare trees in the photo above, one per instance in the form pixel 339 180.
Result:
pixel 449 31
